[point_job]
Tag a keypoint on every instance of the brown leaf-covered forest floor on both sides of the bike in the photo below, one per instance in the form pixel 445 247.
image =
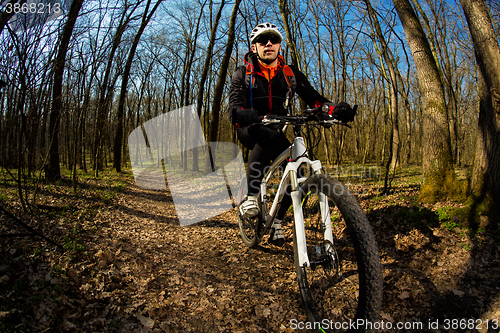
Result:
pixel 127 265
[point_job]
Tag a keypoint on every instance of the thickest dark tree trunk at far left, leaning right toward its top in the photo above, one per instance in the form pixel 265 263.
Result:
pixel 53 170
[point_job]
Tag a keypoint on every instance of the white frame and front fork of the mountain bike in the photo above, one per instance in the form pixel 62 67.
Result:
pixel 296 155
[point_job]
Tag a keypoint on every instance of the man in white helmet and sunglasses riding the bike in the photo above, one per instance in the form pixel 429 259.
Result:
pixel 262 87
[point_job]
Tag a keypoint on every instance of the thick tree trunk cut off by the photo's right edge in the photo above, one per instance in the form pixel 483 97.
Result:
pixel 485 178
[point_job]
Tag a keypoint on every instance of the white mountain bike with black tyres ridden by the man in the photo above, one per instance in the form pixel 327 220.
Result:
pixel 335 252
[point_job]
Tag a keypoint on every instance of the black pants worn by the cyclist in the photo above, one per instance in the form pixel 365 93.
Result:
pixel 266 143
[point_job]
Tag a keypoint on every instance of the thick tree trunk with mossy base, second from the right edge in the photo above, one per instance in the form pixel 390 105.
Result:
pixel 440 181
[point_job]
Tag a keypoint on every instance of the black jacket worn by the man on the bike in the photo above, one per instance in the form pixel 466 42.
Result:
pixel 269 97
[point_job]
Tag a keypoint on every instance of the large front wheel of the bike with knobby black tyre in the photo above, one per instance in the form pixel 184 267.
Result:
pixel 343 283
